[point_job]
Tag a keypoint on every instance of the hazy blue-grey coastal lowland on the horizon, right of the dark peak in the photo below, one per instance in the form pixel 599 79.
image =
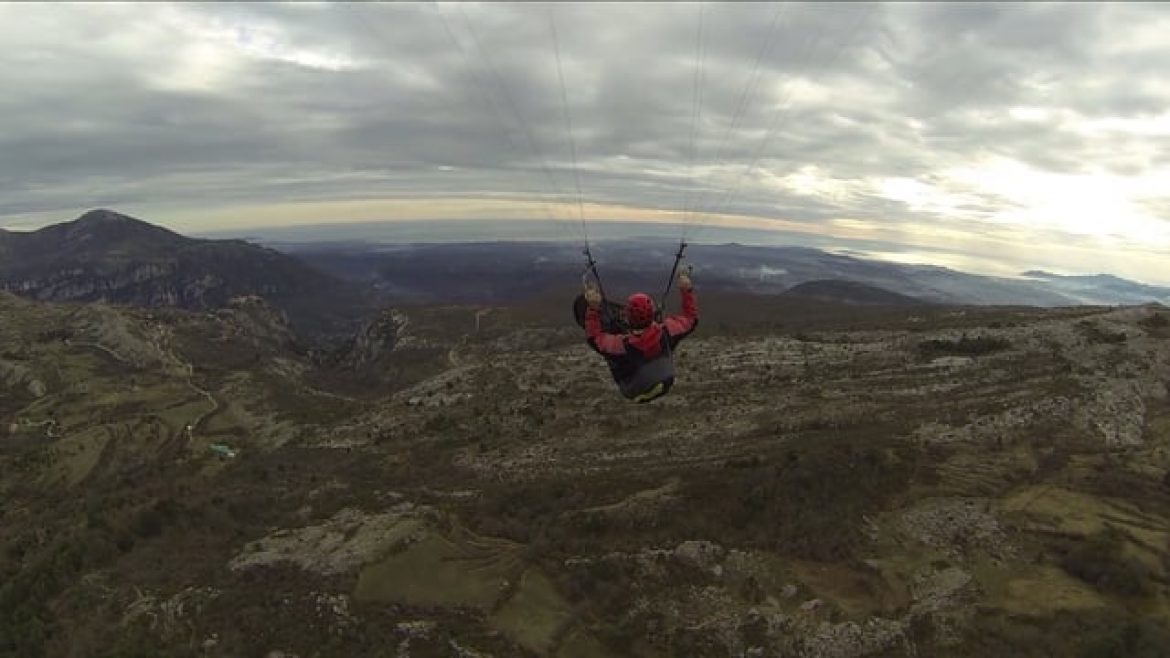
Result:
pixel 495 272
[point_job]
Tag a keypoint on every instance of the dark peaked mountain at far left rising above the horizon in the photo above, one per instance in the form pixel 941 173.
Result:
pixel 108 257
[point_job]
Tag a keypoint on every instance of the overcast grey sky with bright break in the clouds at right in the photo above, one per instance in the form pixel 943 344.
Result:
pixel 992 138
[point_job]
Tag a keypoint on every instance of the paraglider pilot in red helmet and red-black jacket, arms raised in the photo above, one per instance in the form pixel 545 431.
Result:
pixel 642 359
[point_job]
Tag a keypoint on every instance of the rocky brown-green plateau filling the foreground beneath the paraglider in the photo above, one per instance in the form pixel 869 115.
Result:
pixel 823 481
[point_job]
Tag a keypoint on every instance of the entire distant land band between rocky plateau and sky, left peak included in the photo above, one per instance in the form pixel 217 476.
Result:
pixel 333 289
